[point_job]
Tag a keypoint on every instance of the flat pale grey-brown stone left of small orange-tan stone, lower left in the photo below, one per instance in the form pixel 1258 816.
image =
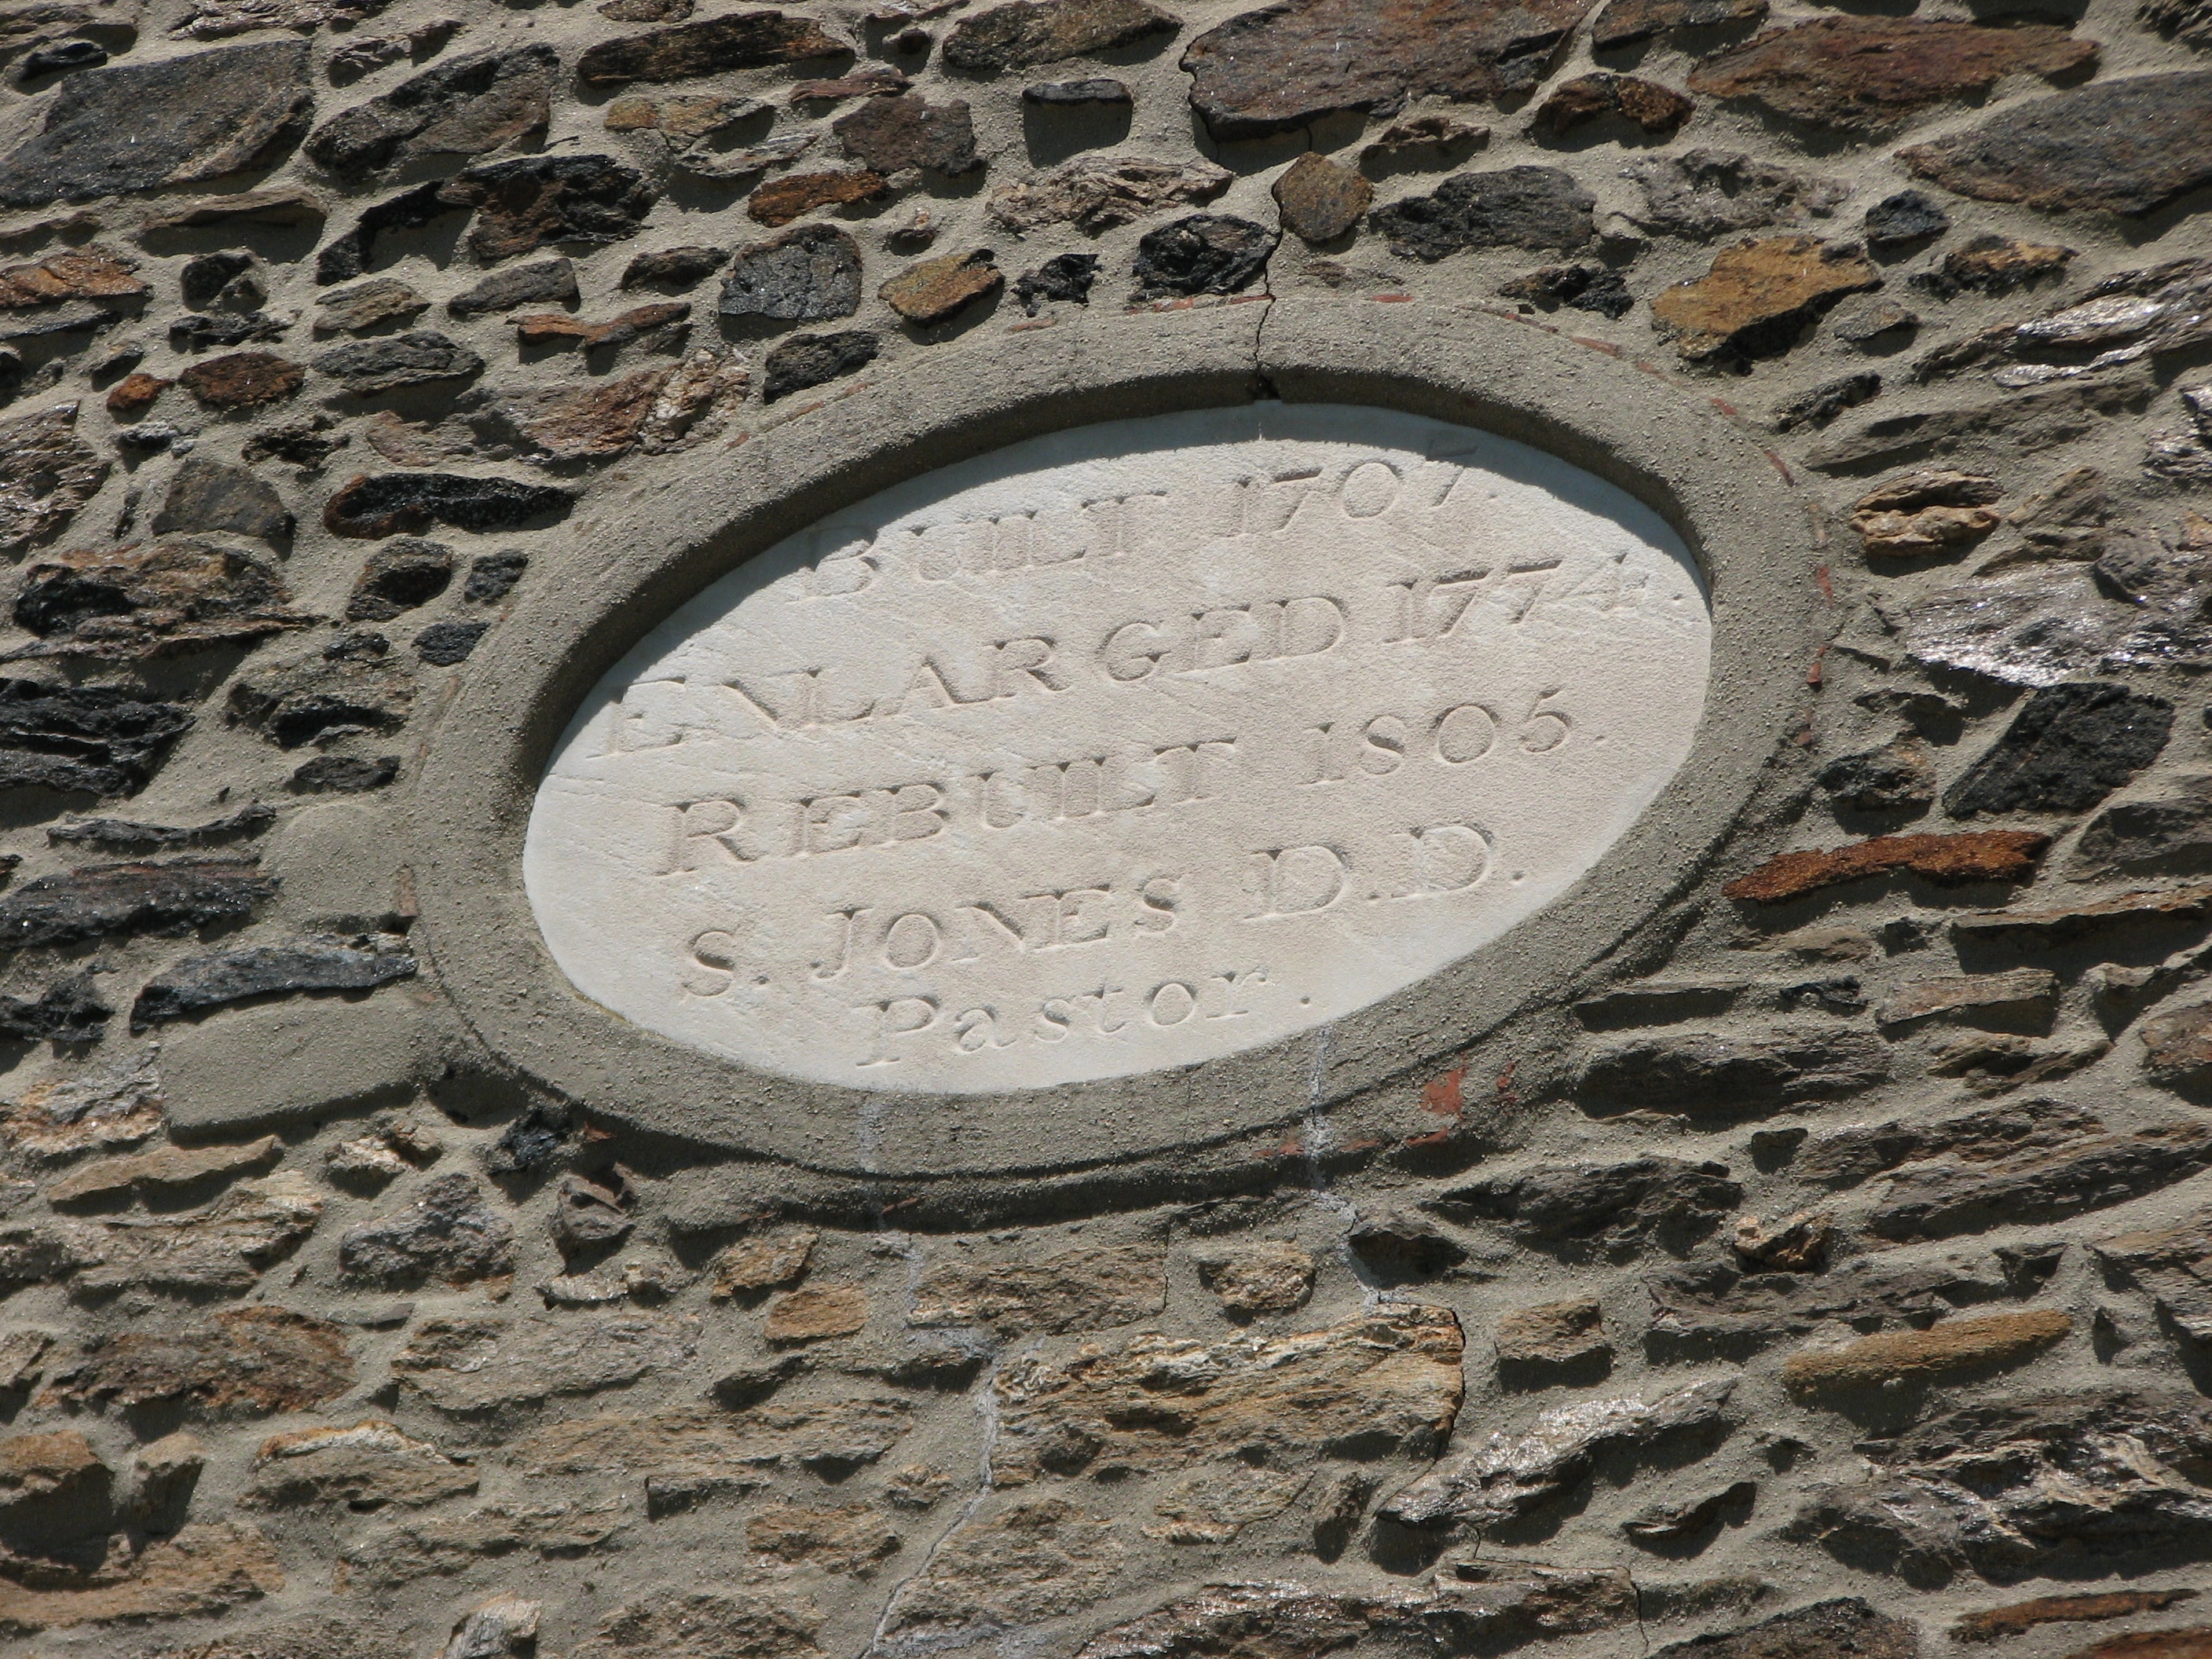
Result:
pixel 470 1366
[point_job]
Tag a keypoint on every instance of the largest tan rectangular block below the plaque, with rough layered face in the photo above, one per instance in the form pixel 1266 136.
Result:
pixel 1381 1379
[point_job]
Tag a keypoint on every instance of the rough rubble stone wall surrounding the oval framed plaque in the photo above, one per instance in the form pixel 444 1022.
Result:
pixel 1833 1275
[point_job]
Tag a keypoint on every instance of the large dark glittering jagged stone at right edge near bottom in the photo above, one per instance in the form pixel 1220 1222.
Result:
pixel 2043 1485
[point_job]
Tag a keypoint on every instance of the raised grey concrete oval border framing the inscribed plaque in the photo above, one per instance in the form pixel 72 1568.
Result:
pixel 634 559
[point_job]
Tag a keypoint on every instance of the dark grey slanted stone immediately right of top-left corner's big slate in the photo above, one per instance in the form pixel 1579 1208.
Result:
pixel 463 107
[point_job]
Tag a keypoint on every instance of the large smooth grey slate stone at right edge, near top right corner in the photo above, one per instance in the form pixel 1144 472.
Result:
pixel 2122 147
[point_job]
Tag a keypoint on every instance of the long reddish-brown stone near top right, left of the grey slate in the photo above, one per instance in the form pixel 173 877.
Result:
pixel 1868 74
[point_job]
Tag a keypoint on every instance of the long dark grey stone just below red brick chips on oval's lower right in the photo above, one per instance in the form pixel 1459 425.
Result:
pixel 1603 1211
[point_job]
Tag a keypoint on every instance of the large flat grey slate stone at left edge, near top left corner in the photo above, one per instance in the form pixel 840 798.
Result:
pixel 140 127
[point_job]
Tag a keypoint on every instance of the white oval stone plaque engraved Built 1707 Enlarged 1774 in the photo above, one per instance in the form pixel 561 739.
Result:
pixel 1120 749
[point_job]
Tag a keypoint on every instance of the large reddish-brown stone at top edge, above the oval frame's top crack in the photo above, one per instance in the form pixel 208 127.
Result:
pixel 1288 65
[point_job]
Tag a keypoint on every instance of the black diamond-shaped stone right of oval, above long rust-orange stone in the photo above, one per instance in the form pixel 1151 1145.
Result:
pixel 2065 751
